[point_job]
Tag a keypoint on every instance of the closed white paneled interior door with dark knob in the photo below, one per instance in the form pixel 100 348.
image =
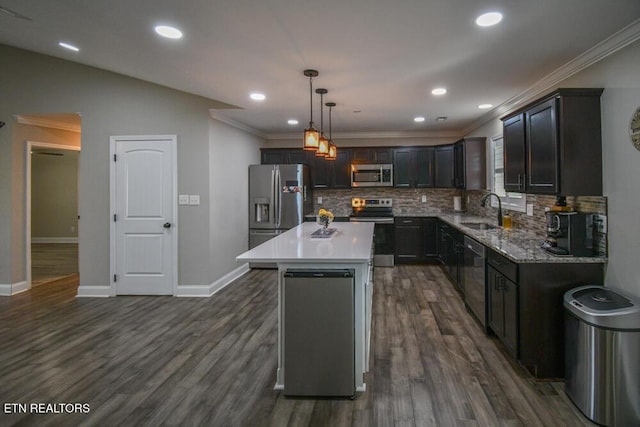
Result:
pixel 145 223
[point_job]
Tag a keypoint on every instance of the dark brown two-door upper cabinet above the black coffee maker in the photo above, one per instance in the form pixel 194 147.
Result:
pixel 554 145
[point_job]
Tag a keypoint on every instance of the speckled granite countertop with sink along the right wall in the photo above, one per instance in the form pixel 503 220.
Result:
pixel 517 245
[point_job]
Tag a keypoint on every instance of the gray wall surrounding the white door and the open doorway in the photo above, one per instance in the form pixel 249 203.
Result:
pixel 110 104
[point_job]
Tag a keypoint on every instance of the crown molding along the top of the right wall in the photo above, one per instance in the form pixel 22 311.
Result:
pixel 607 47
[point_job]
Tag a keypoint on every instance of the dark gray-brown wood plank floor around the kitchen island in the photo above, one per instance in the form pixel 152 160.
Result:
pixel 212 361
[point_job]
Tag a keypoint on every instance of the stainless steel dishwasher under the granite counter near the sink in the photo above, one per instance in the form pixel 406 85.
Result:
pixel 474 279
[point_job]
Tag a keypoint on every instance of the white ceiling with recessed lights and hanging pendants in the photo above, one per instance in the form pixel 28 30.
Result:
pixel 379 57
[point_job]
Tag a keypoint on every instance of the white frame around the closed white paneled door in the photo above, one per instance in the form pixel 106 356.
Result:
pixel 113 140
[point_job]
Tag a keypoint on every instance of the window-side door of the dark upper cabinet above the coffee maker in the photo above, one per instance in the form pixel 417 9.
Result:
pixel 514 153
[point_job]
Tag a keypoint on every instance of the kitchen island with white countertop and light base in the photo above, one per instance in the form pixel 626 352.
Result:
pixel 349 247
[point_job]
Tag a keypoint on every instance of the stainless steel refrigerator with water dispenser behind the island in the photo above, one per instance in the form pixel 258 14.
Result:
pixel 279 198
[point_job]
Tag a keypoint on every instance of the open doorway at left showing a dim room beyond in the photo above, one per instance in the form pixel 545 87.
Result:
pixel 51 196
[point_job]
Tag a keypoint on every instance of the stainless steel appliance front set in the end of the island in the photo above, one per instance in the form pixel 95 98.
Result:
pixel 319 336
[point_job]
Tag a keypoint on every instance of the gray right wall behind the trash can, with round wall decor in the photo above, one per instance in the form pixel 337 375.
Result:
pixel 620 76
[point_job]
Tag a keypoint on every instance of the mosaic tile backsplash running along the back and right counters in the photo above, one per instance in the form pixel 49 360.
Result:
pixel 408 202
